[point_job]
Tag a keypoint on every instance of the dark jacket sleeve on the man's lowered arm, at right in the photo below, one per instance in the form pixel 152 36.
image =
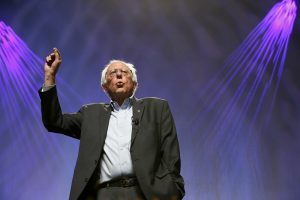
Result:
pixel 170 148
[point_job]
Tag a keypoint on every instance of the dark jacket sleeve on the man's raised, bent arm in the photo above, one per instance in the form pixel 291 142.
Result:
pixel 53 118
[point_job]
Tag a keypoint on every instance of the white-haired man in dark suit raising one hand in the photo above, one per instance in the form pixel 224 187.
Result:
pixel 128 147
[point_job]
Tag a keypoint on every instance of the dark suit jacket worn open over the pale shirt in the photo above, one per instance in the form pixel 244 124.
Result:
pixel 154 145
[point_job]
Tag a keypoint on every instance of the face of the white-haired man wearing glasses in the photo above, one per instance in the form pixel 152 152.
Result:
pixel 119 82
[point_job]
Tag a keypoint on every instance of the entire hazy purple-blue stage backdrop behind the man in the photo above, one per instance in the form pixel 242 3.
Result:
pixel 179 49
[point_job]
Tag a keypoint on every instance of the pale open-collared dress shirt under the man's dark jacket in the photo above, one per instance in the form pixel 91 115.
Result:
pixel 116 160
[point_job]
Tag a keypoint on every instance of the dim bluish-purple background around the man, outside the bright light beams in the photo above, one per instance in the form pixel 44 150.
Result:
pixel 177 47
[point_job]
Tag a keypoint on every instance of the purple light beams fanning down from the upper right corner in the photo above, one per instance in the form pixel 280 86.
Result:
pixel 249 80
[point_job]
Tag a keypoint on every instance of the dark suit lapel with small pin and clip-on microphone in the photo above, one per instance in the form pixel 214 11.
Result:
pixel 137 113
